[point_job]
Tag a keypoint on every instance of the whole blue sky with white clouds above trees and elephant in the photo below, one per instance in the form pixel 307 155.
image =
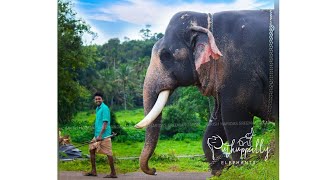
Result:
pixel 124 18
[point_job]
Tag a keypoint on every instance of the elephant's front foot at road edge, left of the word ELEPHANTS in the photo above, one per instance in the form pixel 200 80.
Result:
pixel 218 164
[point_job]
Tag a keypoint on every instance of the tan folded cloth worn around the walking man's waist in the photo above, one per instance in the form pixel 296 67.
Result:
pixel 102 147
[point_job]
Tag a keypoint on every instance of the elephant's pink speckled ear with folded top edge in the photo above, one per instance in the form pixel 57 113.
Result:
pixel 205 47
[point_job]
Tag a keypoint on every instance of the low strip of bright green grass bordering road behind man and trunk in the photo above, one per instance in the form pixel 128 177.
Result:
pixel 161 159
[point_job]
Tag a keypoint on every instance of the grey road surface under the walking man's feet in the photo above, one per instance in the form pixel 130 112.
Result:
pixel 71 175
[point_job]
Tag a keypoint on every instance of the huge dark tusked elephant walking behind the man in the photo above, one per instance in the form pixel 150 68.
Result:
pixel 227 56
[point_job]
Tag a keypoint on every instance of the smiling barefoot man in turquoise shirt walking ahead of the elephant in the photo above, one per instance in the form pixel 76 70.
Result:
pixel 100 144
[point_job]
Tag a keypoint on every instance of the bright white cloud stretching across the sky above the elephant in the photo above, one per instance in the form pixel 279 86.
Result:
pixel 141 12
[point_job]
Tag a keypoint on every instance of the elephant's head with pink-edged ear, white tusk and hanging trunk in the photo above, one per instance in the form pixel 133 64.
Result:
pixel 176 60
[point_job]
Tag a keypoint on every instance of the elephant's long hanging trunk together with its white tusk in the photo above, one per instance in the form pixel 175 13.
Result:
pixel 156 91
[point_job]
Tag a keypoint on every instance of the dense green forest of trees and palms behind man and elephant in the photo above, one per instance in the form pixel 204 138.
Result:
pixel 115 68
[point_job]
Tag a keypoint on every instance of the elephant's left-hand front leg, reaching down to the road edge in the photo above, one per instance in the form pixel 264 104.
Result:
pixel 214 129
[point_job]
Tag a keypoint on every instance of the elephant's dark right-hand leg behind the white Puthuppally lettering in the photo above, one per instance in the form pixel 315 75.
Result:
pixel 237 123
